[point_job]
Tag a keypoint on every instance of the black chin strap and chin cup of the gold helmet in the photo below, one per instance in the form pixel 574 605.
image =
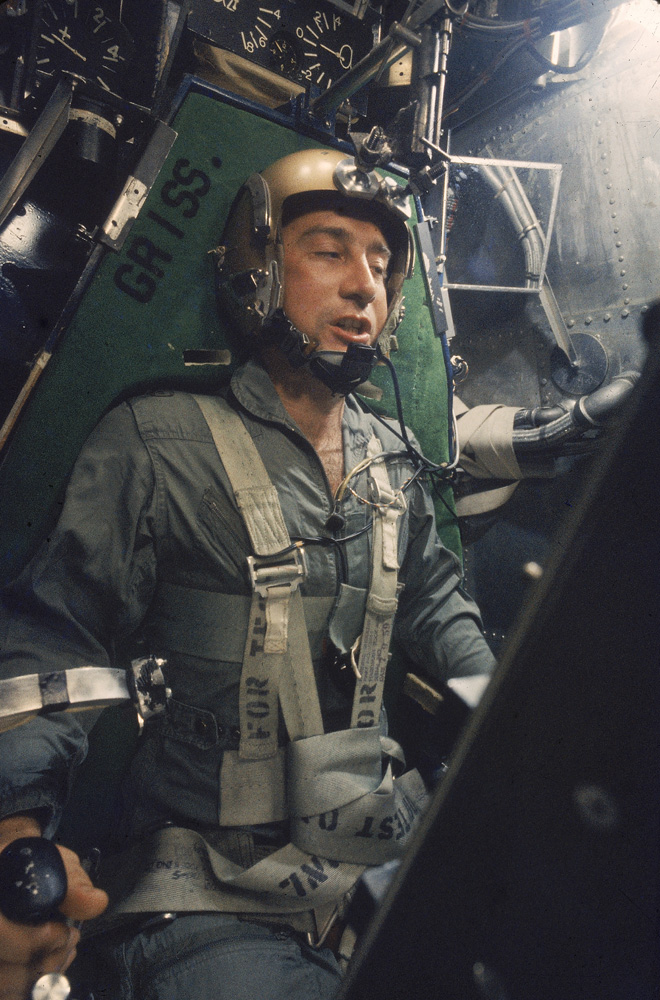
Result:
pixel 341 371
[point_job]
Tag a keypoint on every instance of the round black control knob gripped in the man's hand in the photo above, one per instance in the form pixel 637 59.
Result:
pixel 32 881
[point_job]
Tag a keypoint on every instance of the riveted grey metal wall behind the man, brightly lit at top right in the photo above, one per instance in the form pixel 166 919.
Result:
pixel 602 124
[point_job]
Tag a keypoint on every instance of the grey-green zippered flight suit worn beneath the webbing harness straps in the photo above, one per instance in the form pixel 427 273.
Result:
pixel 149 513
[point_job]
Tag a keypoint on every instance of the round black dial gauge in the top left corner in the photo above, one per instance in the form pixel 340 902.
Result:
pixel 80 37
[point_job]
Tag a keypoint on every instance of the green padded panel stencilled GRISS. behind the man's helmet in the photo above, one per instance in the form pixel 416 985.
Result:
pixel 118 344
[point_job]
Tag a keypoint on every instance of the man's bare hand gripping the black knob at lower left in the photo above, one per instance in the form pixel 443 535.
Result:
pixel 28 952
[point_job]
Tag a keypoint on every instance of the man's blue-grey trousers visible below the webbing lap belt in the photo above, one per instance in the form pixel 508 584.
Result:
pixel 205 956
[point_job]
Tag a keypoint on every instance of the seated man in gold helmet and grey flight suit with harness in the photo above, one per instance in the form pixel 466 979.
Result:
pixel 153 542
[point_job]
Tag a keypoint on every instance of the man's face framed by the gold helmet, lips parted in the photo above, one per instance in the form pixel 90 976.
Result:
pixel 335 272
